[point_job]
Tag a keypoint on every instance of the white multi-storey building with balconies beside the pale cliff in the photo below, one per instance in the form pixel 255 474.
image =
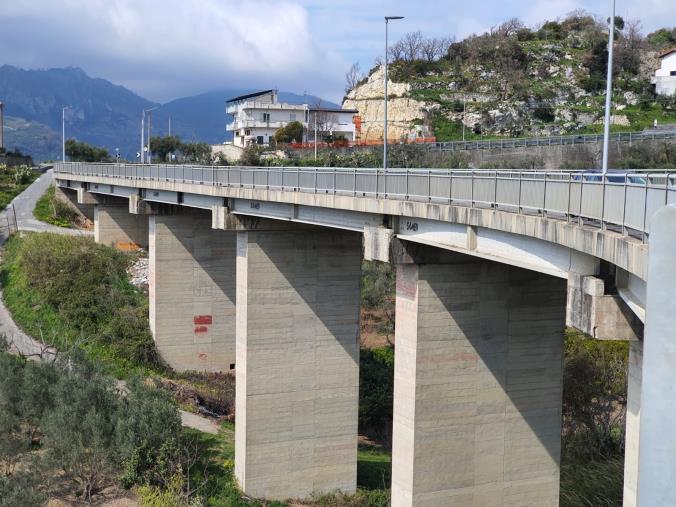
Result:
pixel 257 116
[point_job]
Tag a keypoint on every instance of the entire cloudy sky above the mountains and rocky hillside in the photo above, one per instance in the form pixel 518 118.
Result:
pixel 164 49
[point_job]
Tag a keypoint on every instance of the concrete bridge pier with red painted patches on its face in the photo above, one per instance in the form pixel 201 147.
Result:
pixel 192 291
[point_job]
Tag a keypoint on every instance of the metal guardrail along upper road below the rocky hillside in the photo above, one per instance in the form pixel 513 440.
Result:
pixel 521 142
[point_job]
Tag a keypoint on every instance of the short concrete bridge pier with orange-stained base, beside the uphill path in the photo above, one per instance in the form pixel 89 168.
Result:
pixel 115 226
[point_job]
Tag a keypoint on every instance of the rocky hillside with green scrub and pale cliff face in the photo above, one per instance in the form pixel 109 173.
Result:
pixel 516 81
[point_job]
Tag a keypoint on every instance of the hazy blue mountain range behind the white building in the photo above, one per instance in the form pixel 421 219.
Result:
pixel 105 114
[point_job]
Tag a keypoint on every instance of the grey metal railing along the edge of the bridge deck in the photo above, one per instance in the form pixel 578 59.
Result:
pixel 622 201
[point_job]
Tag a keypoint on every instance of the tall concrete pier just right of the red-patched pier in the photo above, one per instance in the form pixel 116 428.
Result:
pixel 297 362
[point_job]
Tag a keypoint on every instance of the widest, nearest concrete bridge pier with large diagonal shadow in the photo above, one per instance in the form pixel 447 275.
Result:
pixel 477 384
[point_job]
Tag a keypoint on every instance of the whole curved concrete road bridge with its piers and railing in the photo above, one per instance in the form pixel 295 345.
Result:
pixel 259 269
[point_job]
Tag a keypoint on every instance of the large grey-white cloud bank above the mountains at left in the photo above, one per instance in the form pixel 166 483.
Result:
pixel 162 43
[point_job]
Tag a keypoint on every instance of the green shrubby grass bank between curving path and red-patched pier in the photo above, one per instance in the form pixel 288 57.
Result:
pixel 72 293
